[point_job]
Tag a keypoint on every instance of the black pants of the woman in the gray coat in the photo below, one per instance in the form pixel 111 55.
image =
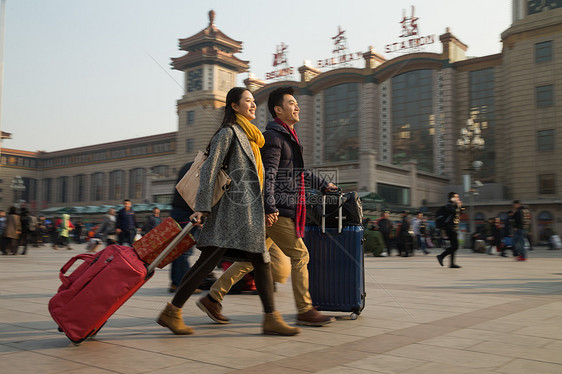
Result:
pixel 208 260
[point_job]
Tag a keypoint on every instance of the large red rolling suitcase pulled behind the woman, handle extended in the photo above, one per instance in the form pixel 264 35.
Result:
pixel 99 286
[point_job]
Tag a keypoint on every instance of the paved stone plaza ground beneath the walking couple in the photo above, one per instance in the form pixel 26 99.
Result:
pixel 494 315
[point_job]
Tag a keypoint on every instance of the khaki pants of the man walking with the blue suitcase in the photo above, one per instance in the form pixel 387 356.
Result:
pixel 284 245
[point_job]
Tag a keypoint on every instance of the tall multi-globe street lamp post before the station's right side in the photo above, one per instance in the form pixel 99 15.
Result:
pixel 471 141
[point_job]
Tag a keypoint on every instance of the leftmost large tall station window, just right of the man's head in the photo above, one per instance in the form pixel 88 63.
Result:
pixel 341 129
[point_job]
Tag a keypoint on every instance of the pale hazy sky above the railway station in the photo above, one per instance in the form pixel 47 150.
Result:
pixel 84 72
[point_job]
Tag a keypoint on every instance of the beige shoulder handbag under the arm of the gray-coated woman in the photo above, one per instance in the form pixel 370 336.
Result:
pixel 188 186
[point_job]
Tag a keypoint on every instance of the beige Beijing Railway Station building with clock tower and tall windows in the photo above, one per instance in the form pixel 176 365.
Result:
pixel 389 127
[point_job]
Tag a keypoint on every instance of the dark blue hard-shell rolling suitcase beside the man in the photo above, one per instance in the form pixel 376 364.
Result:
pixel 336 267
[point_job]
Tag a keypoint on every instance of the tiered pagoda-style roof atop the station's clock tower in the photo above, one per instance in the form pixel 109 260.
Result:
pixel 210 45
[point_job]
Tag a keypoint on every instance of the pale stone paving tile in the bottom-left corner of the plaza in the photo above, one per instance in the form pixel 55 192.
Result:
pixel 31 362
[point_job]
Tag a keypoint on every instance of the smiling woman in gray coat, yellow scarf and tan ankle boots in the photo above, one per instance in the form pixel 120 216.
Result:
pixel 237 223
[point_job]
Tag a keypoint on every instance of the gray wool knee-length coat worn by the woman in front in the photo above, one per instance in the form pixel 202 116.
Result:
pixel 238 219
